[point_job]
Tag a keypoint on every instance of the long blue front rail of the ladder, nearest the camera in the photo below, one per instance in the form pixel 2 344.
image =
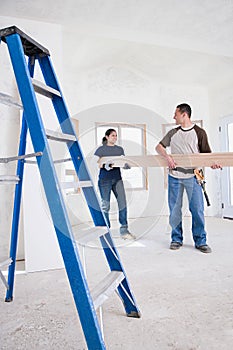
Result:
pixel 55 200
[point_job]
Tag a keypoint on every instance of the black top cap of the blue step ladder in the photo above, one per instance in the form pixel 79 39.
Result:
pixel 30 46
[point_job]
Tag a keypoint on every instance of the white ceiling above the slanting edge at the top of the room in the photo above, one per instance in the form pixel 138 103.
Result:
pixel 199 25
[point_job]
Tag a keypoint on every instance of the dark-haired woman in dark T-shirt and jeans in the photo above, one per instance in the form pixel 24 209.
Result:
pixel 110 180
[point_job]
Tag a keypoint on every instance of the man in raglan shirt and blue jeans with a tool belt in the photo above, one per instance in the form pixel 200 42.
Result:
pixel 186 138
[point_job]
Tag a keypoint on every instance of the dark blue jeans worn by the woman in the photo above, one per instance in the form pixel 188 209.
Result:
pixel 105 187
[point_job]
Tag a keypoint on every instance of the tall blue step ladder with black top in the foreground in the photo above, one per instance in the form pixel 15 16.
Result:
pixel 21 46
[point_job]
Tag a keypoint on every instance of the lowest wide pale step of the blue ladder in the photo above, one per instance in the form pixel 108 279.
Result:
pixel 106 287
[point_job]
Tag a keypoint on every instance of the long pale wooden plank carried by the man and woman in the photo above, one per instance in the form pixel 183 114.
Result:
pixel 192 160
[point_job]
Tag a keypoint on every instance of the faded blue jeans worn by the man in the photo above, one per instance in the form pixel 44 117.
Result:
pixel 196 206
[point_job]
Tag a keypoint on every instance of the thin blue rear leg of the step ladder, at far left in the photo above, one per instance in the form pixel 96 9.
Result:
pixel 17 202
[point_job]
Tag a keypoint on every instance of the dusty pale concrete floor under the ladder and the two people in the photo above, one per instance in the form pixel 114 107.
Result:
pixel 185 296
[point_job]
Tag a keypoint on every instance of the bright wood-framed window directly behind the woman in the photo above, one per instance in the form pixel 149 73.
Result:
pixel 132 137
